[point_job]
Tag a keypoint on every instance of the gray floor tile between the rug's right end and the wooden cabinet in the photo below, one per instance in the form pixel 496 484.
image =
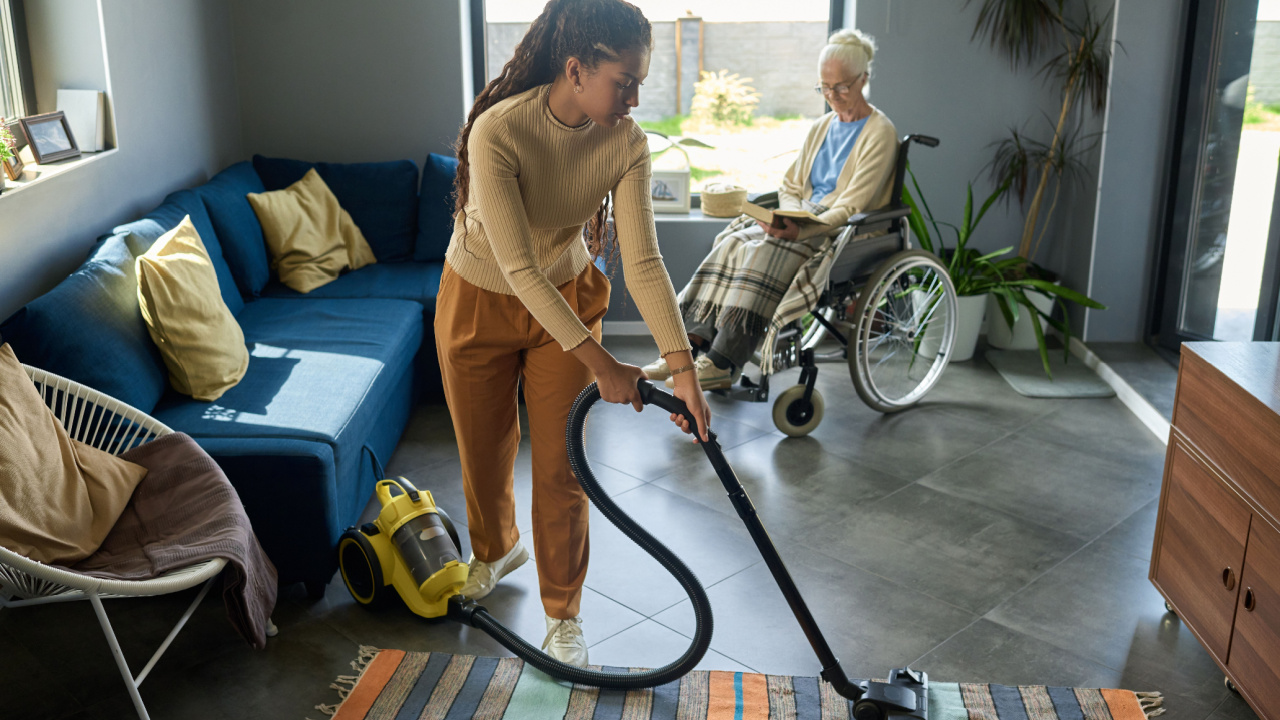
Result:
pixel 1100 605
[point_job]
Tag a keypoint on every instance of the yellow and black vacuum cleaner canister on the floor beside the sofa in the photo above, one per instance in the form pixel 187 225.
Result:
pixel 412 548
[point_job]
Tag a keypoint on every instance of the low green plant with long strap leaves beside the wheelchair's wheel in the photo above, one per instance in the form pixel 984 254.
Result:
pixel 1008 280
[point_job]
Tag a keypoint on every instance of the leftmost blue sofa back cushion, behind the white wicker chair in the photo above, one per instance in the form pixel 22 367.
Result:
pixel 89 329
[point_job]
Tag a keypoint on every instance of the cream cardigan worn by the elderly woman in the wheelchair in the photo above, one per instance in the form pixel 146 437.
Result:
pixel 866 183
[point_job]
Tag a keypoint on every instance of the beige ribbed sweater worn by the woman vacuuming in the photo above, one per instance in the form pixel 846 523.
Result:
pixel 534 184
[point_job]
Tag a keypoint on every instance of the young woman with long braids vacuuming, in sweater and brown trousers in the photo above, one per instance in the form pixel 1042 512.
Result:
pixel 546 145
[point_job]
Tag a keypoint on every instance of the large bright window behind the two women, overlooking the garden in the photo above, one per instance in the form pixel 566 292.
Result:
pixel 737 76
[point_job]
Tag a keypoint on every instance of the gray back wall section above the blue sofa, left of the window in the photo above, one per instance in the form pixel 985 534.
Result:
pixel 341 81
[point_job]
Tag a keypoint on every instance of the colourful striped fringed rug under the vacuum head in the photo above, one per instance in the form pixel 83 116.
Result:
pixel 394 685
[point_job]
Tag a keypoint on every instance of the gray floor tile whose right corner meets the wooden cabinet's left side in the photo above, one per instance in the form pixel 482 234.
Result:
pixel 1068 490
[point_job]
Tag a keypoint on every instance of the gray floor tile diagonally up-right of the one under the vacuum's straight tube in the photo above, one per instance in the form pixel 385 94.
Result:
pixel 944 546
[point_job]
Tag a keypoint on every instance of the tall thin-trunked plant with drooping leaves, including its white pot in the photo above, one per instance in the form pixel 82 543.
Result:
pixel 1023 30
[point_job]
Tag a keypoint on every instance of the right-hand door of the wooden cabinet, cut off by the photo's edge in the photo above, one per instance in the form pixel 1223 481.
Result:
pixel 1255 660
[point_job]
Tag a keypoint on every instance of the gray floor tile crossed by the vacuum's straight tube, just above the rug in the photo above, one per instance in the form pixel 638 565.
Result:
pixel 870 623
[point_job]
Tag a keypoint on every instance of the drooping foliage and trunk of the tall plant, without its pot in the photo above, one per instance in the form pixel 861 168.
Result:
pixel 1081 63
